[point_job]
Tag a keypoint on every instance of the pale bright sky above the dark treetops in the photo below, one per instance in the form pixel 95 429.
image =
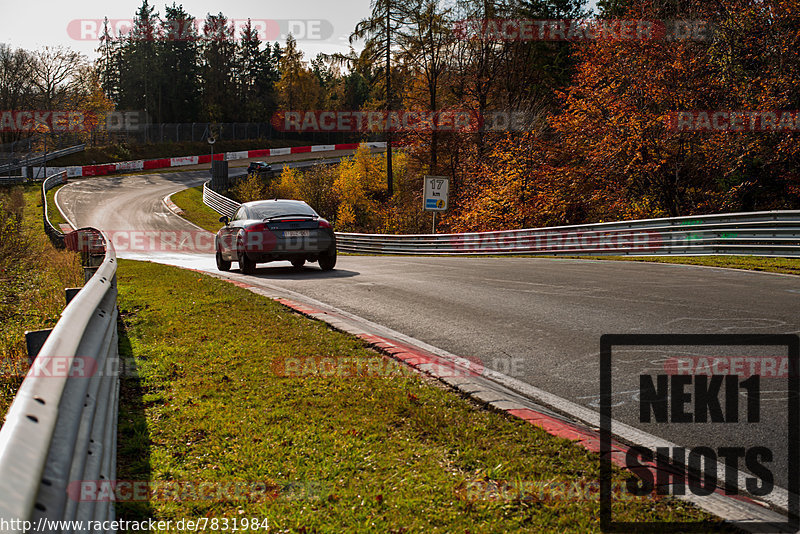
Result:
pixel 318 25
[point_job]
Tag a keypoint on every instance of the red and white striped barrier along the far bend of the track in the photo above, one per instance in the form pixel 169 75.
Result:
pixel 179 161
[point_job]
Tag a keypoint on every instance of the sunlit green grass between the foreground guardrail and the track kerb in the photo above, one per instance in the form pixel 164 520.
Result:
pixel 335 453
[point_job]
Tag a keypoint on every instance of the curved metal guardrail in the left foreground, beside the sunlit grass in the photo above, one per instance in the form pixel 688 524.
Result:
pixel 61 428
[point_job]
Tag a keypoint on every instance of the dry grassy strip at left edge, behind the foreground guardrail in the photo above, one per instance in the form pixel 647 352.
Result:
pixel 33 275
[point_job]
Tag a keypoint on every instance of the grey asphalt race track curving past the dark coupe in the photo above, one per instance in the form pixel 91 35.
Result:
pixel 538 320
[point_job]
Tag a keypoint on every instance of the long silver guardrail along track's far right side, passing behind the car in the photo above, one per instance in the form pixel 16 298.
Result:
pixel 764 233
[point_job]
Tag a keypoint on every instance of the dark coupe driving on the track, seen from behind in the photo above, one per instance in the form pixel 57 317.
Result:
pixel 273 230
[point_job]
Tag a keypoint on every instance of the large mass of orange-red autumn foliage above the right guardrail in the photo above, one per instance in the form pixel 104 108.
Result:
pixel 615 112
